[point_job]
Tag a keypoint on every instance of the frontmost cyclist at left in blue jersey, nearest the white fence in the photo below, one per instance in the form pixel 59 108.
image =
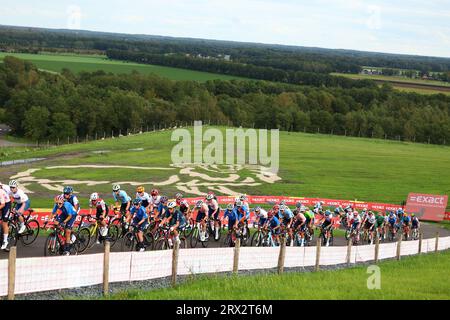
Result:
pixel 66 216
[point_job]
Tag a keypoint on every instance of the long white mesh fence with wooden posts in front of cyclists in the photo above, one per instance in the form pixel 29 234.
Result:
pixel 28 275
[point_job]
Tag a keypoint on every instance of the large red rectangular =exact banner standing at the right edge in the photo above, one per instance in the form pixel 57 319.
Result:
pixel 427 206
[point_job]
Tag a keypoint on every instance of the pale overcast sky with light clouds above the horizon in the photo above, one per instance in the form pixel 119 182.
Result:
pixel 409 27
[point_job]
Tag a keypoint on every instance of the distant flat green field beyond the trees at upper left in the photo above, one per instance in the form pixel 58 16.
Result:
pixel 77 63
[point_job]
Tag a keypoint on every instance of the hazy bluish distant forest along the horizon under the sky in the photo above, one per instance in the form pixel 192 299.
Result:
pixel 287 58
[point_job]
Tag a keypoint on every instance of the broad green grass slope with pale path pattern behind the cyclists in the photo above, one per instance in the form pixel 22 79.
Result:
pixel 327 166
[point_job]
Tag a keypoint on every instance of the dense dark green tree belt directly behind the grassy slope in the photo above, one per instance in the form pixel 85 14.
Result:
pixel 43 106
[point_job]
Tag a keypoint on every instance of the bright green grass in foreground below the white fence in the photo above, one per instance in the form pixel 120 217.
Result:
pixel 419 277
